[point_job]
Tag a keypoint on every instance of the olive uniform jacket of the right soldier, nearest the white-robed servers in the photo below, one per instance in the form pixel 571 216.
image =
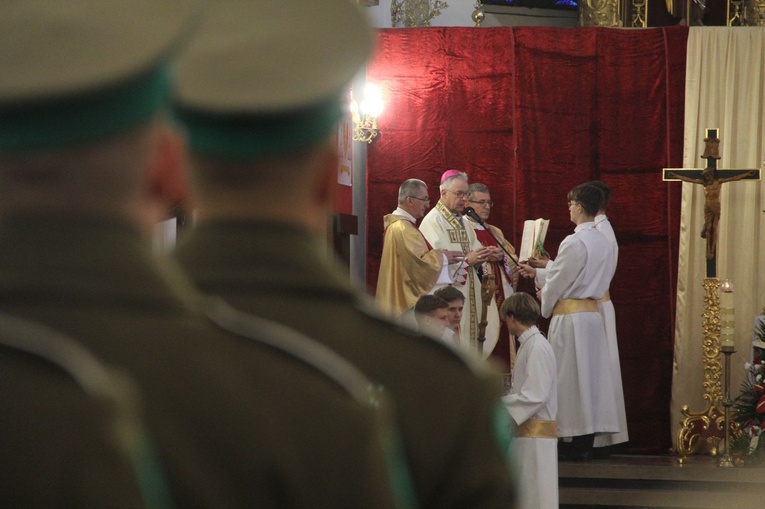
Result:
pixel 448 412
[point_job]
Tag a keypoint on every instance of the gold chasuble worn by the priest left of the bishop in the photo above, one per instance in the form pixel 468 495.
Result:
pixel 409 267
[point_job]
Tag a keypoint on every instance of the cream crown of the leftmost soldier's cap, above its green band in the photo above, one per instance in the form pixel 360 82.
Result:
pixel 56 48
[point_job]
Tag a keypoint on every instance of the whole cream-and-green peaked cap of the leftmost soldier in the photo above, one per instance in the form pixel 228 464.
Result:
pixel 77 69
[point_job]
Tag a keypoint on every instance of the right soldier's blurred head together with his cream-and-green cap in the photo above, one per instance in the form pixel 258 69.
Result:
pixel 260 100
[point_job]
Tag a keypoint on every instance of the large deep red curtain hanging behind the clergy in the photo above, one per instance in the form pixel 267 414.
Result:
pixel 531 112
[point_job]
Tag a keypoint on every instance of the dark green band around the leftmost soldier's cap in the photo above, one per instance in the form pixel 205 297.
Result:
pixel 57 123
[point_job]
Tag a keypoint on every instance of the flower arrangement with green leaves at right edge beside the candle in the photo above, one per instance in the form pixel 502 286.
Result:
pixel 749 405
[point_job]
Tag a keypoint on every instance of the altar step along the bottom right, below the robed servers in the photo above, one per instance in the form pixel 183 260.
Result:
pixel 659 482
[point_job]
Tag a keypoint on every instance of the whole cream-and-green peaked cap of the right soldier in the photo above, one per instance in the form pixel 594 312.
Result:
pixel 266 76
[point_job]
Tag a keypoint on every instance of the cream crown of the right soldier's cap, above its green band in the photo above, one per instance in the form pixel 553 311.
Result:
pixel 271 56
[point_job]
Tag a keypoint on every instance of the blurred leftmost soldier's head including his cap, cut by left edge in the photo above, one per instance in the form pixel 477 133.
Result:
pixel 80 101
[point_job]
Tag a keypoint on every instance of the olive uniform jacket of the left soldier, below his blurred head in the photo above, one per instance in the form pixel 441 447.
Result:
pixel 234 423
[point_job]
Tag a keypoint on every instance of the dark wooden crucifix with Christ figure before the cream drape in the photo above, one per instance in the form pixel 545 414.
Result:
pixel 712 178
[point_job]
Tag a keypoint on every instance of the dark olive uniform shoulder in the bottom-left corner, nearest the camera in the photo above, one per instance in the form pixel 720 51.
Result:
pixel 56 442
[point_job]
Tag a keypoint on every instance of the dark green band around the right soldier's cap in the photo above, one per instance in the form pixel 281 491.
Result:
pixel 252 137
